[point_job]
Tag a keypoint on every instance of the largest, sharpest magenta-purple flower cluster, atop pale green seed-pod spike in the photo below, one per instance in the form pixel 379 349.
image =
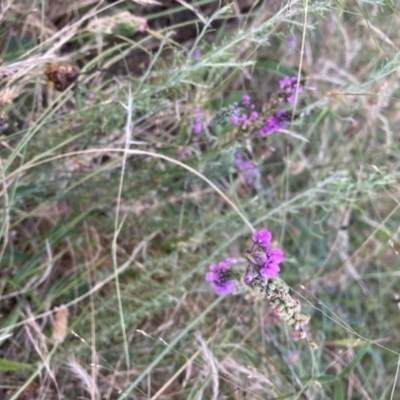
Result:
pixel 263 263
